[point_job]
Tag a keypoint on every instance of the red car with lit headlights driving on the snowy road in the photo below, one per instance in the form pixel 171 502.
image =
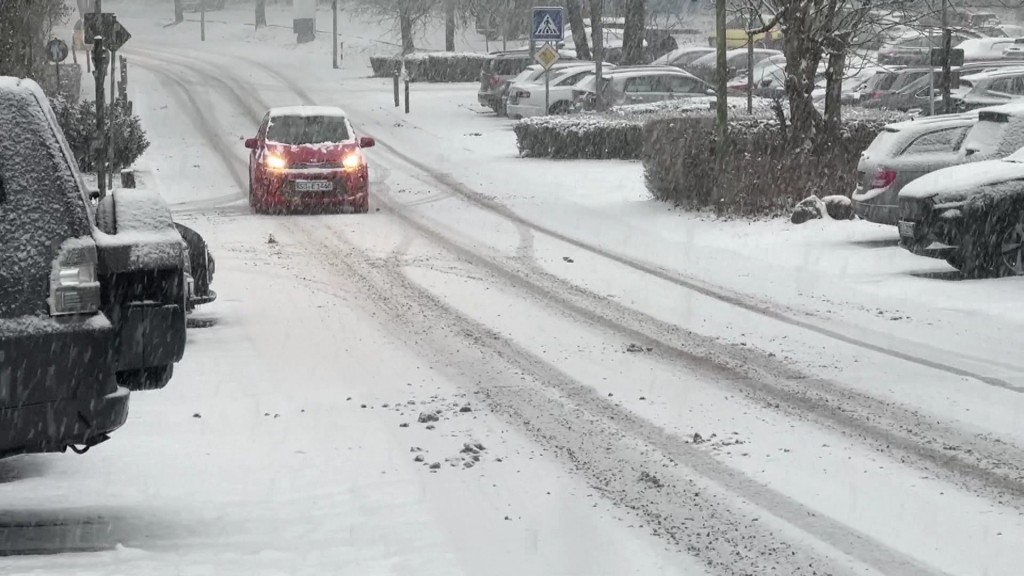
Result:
pixel 309 159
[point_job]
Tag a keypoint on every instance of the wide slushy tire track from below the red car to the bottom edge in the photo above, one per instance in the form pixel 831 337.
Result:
pixel 703 506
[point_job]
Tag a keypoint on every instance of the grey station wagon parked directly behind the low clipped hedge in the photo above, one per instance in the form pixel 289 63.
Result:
pixel 639 86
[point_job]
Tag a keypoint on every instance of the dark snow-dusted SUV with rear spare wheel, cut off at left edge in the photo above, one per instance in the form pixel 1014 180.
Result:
pixel 92 300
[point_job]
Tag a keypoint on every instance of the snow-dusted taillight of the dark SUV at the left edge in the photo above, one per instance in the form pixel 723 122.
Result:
pixel 74 289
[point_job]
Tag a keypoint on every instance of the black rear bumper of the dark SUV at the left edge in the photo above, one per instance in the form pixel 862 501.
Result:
pixel 58 389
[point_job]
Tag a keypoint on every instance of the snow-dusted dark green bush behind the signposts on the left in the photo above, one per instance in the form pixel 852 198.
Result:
pixel 78 121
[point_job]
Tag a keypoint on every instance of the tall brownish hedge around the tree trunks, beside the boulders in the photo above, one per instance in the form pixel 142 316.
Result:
pixel 762 176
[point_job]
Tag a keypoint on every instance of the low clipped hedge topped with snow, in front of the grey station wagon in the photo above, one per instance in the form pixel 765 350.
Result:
pixel 618 134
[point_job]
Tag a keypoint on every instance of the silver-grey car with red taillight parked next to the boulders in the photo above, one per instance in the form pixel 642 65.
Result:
pixel 902 153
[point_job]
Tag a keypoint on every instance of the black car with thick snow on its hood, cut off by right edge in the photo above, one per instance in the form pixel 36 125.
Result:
pixel 970 215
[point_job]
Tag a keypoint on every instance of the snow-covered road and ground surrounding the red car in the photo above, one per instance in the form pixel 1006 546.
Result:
pixel 653 392
